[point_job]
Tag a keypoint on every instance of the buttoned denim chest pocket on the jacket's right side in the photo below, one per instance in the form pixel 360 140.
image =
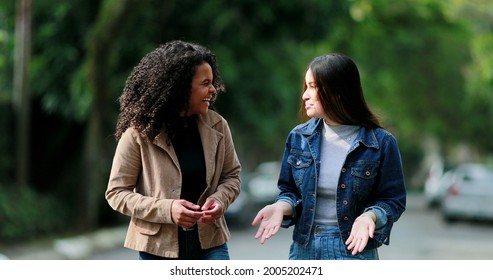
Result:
pixel 364 176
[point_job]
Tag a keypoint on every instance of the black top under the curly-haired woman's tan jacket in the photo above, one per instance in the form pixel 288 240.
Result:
pixel 190 153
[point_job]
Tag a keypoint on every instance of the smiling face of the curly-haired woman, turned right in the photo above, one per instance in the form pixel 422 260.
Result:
pixel 202 91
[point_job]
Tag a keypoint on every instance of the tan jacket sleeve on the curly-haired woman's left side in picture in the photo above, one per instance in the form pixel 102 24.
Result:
pixel 125 171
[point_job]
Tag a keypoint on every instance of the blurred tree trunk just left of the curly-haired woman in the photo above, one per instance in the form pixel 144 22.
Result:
pixel 101 39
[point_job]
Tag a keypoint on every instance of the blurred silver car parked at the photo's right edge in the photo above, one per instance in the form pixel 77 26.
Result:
pixel 470 197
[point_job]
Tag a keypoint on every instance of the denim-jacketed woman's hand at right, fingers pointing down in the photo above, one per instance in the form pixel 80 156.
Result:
pixel 363 229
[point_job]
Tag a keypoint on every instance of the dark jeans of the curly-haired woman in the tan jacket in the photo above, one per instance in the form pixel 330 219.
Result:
pixel 189 249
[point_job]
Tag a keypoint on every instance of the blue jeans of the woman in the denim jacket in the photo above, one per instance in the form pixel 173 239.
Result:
pixel 326 244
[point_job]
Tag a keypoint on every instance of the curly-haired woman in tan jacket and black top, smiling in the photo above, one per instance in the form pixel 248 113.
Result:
pixel 175 170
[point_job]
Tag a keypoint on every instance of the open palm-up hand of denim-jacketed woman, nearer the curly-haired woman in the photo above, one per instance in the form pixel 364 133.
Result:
pixel 270 218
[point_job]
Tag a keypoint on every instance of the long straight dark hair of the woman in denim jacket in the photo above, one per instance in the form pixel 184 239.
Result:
pixel 340 92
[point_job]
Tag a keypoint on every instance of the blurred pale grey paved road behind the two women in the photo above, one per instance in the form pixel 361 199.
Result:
pixel 420 234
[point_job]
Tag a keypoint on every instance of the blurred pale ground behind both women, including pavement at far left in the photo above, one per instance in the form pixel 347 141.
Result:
pixel 420 234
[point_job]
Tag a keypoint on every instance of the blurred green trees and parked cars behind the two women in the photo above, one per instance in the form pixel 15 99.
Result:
pixel 426 68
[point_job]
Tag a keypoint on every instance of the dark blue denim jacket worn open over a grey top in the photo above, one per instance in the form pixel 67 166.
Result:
pixel 371 178
